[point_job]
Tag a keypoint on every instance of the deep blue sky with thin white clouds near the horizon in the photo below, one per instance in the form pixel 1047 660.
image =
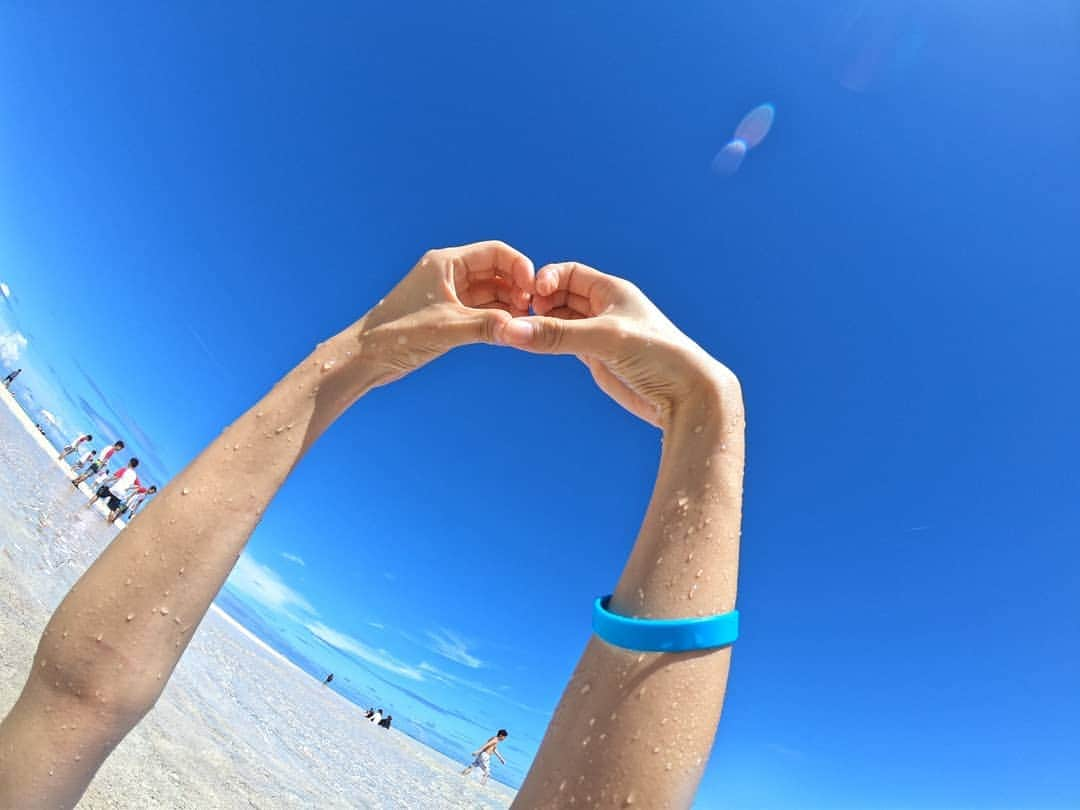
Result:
pixel 191 201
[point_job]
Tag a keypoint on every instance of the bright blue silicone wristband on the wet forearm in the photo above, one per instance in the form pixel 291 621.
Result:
pixel 665 636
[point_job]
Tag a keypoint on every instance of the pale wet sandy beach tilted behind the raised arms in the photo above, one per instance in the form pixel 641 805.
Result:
pixel 239 726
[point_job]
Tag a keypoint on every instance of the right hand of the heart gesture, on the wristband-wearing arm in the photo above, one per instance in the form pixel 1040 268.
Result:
pixel 637 356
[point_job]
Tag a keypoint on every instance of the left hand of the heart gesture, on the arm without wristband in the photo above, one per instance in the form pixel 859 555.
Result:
pixel 454 296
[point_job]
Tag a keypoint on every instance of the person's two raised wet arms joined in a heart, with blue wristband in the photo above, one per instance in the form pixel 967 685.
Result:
pixel 110 651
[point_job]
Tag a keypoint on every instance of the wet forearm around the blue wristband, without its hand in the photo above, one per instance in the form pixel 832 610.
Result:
pixel 655 715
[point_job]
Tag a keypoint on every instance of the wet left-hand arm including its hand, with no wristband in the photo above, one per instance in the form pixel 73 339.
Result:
pixel 113 643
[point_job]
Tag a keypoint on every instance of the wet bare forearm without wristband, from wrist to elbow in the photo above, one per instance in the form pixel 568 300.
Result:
pixel 126 624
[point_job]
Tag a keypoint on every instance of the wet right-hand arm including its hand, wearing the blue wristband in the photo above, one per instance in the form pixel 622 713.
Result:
pixel 634 727
